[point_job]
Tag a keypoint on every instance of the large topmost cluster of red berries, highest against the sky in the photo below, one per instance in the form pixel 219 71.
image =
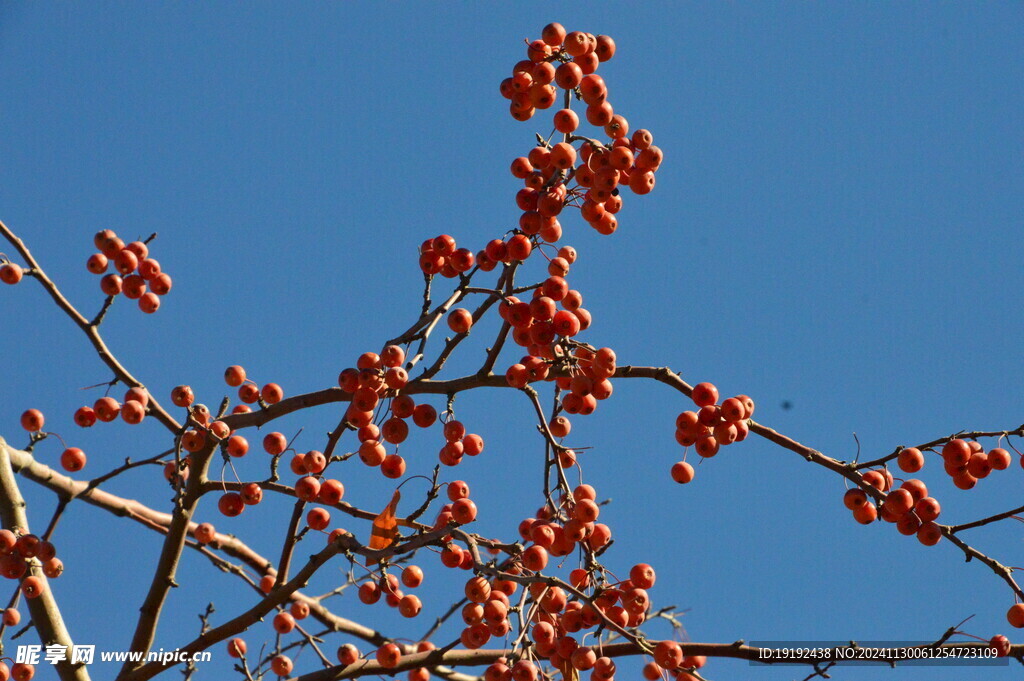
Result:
pixel 587 177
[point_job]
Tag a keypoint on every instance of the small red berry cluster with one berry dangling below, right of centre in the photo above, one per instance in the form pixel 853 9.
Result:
pixel 712 427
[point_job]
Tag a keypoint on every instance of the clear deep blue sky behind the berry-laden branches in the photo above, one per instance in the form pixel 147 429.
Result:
pixel 836 226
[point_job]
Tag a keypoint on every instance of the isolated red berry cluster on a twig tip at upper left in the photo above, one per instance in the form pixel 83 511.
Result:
pixel 136 271
